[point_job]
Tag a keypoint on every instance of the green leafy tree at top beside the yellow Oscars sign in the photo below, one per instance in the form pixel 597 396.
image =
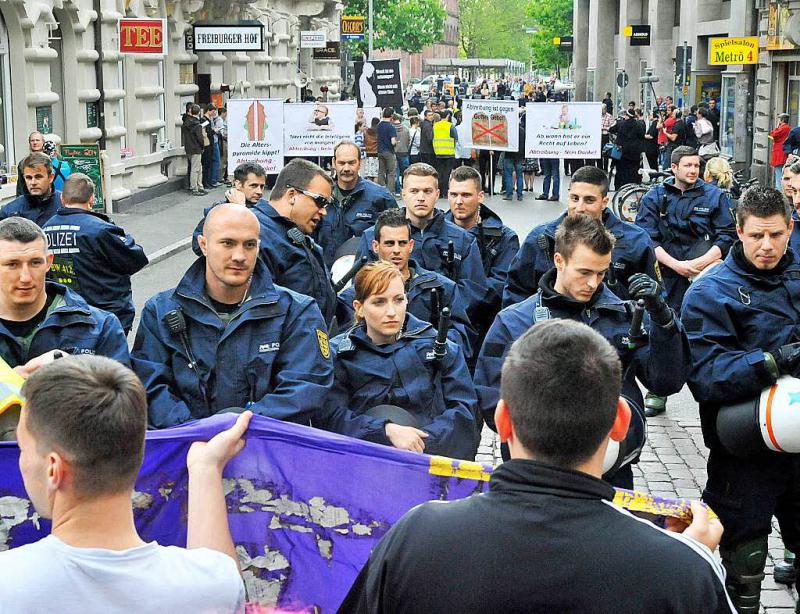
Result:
pixel 408 25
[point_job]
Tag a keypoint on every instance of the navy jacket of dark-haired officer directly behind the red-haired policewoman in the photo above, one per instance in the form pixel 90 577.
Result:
pixel 421 304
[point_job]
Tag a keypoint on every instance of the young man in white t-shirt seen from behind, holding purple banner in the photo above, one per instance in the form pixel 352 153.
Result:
pixel 81 439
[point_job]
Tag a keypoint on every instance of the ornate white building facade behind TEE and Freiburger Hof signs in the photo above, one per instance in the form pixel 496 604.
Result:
pixel 60 58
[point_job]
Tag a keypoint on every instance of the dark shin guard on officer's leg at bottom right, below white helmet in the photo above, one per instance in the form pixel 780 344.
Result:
pixel 744 564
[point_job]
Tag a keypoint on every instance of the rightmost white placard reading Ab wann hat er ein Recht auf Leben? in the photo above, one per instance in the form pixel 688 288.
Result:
pixel 562 130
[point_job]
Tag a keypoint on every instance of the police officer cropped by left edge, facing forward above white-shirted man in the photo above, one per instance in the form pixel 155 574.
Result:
pixel 38 317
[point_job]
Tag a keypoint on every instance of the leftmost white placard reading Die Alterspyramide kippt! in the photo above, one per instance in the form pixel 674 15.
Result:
pixel 255 133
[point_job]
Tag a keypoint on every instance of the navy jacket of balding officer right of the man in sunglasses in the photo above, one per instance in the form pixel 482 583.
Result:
pixel 352 214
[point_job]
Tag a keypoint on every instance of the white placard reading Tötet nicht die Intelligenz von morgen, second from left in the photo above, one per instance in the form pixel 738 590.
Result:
pixel 313 129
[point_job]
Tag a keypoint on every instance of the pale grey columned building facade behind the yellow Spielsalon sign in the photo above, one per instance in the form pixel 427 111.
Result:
pixel 599 30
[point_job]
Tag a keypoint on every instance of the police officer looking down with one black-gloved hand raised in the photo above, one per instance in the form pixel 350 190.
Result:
pixel 574 289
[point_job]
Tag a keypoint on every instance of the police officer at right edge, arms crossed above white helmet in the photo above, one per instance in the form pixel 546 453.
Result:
pixel 743 324
